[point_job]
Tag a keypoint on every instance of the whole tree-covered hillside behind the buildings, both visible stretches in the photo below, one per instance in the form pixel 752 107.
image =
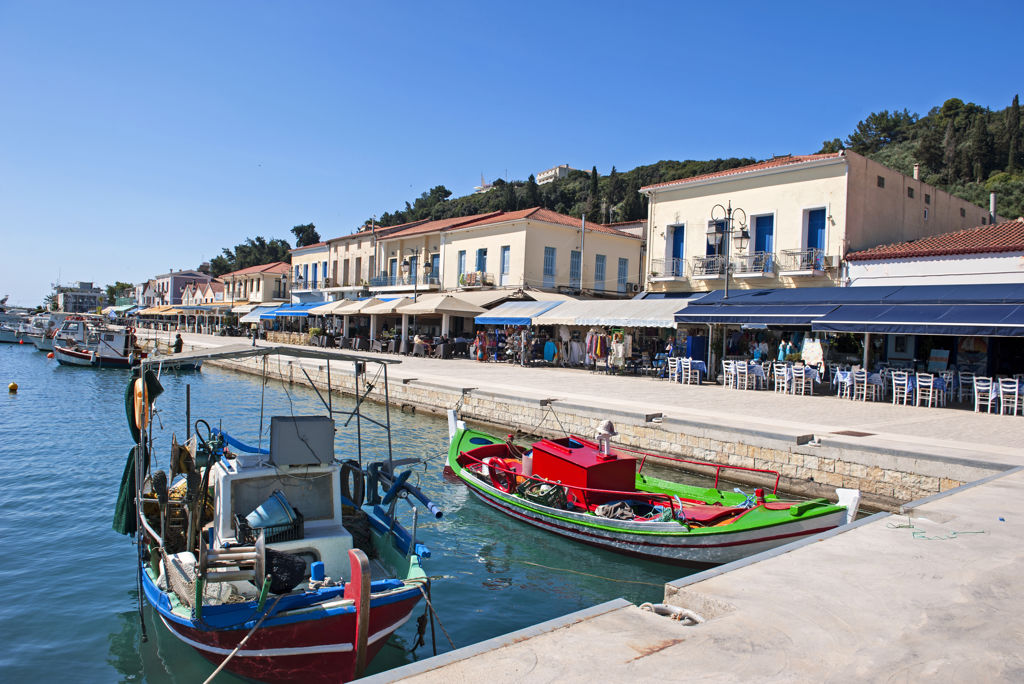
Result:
pixel 964 149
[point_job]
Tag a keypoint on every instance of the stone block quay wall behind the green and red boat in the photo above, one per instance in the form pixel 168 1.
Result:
pixel 887 479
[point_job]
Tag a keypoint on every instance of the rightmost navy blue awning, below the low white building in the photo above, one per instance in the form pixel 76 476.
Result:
pixel 985 320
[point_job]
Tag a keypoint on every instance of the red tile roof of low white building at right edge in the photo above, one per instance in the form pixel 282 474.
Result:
pixel 1008 237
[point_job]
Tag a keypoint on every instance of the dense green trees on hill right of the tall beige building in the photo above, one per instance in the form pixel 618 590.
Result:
pixel 964 149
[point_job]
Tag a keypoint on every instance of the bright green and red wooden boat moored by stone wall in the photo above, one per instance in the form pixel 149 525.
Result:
pixel 586 491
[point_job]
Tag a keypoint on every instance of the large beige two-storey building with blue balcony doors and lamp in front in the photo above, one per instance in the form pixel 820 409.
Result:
pixel 803 216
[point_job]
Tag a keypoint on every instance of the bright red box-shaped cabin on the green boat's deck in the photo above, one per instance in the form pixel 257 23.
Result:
pixel 579 463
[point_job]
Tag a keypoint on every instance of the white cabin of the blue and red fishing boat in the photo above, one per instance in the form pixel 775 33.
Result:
pixel 302 466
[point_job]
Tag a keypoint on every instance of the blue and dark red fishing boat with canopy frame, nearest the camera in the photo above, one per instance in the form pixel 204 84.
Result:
pixel 271 563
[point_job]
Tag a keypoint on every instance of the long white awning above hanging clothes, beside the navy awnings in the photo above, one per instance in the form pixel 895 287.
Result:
pixel 615 314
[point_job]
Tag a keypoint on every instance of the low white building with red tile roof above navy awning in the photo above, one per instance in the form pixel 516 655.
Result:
pixel 985 254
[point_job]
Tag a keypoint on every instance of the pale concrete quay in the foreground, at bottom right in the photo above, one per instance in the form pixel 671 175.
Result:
pixel 932 595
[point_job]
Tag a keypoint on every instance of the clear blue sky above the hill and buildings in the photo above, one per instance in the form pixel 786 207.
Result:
pixel 137 138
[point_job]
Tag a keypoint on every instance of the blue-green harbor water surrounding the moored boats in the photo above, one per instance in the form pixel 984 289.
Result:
pixel 70 605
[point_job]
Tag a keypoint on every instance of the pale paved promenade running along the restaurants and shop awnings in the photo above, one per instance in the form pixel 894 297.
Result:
pixel 949 434
